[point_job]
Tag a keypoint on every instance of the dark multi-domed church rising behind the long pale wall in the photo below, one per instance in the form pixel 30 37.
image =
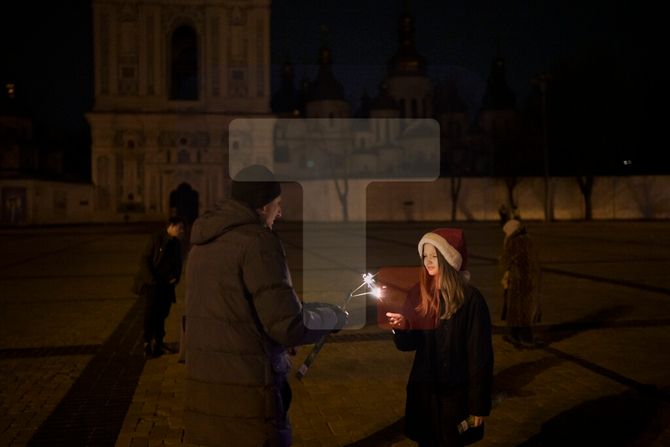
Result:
pixel 468 146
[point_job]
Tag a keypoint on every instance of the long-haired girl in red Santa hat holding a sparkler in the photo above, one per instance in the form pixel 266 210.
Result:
pixel 446 321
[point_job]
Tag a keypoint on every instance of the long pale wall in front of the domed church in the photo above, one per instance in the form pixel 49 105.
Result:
pixel 635 197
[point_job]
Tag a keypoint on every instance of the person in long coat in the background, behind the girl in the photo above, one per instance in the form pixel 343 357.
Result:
pixel 520 284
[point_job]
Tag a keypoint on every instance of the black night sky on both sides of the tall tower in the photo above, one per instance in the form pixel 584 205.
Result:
pixel 614 44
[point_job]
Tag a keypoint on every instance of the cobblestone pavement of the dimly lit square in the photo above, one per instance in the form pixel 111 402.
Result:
pixel 72 373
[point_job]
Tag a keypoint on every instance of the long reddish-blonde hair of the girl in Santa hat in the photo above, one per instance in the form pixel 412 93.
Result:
pixel 443 294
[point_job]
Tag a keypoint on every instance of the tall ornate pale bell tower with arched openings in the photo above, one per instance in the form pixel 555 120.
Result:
pixel 170 76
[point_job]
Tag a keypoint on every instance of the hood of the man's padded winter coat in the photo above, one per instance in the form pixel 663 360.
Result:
pixel 225 216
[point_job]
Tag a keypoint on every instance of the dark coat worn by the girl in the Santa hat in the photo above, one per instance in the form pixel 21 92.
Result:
pixel 452 372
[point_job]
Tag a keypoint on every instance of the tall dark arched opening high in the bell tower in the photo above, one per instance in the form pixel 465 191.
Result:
pixel 184 64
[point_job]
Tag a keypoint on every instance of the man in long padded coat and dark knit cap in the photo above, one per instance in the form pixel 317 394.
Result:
pixel 242 315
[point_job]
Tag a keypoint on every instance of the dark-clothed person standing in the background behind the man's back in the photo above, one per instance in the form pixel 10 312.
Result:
pixel 158 274
